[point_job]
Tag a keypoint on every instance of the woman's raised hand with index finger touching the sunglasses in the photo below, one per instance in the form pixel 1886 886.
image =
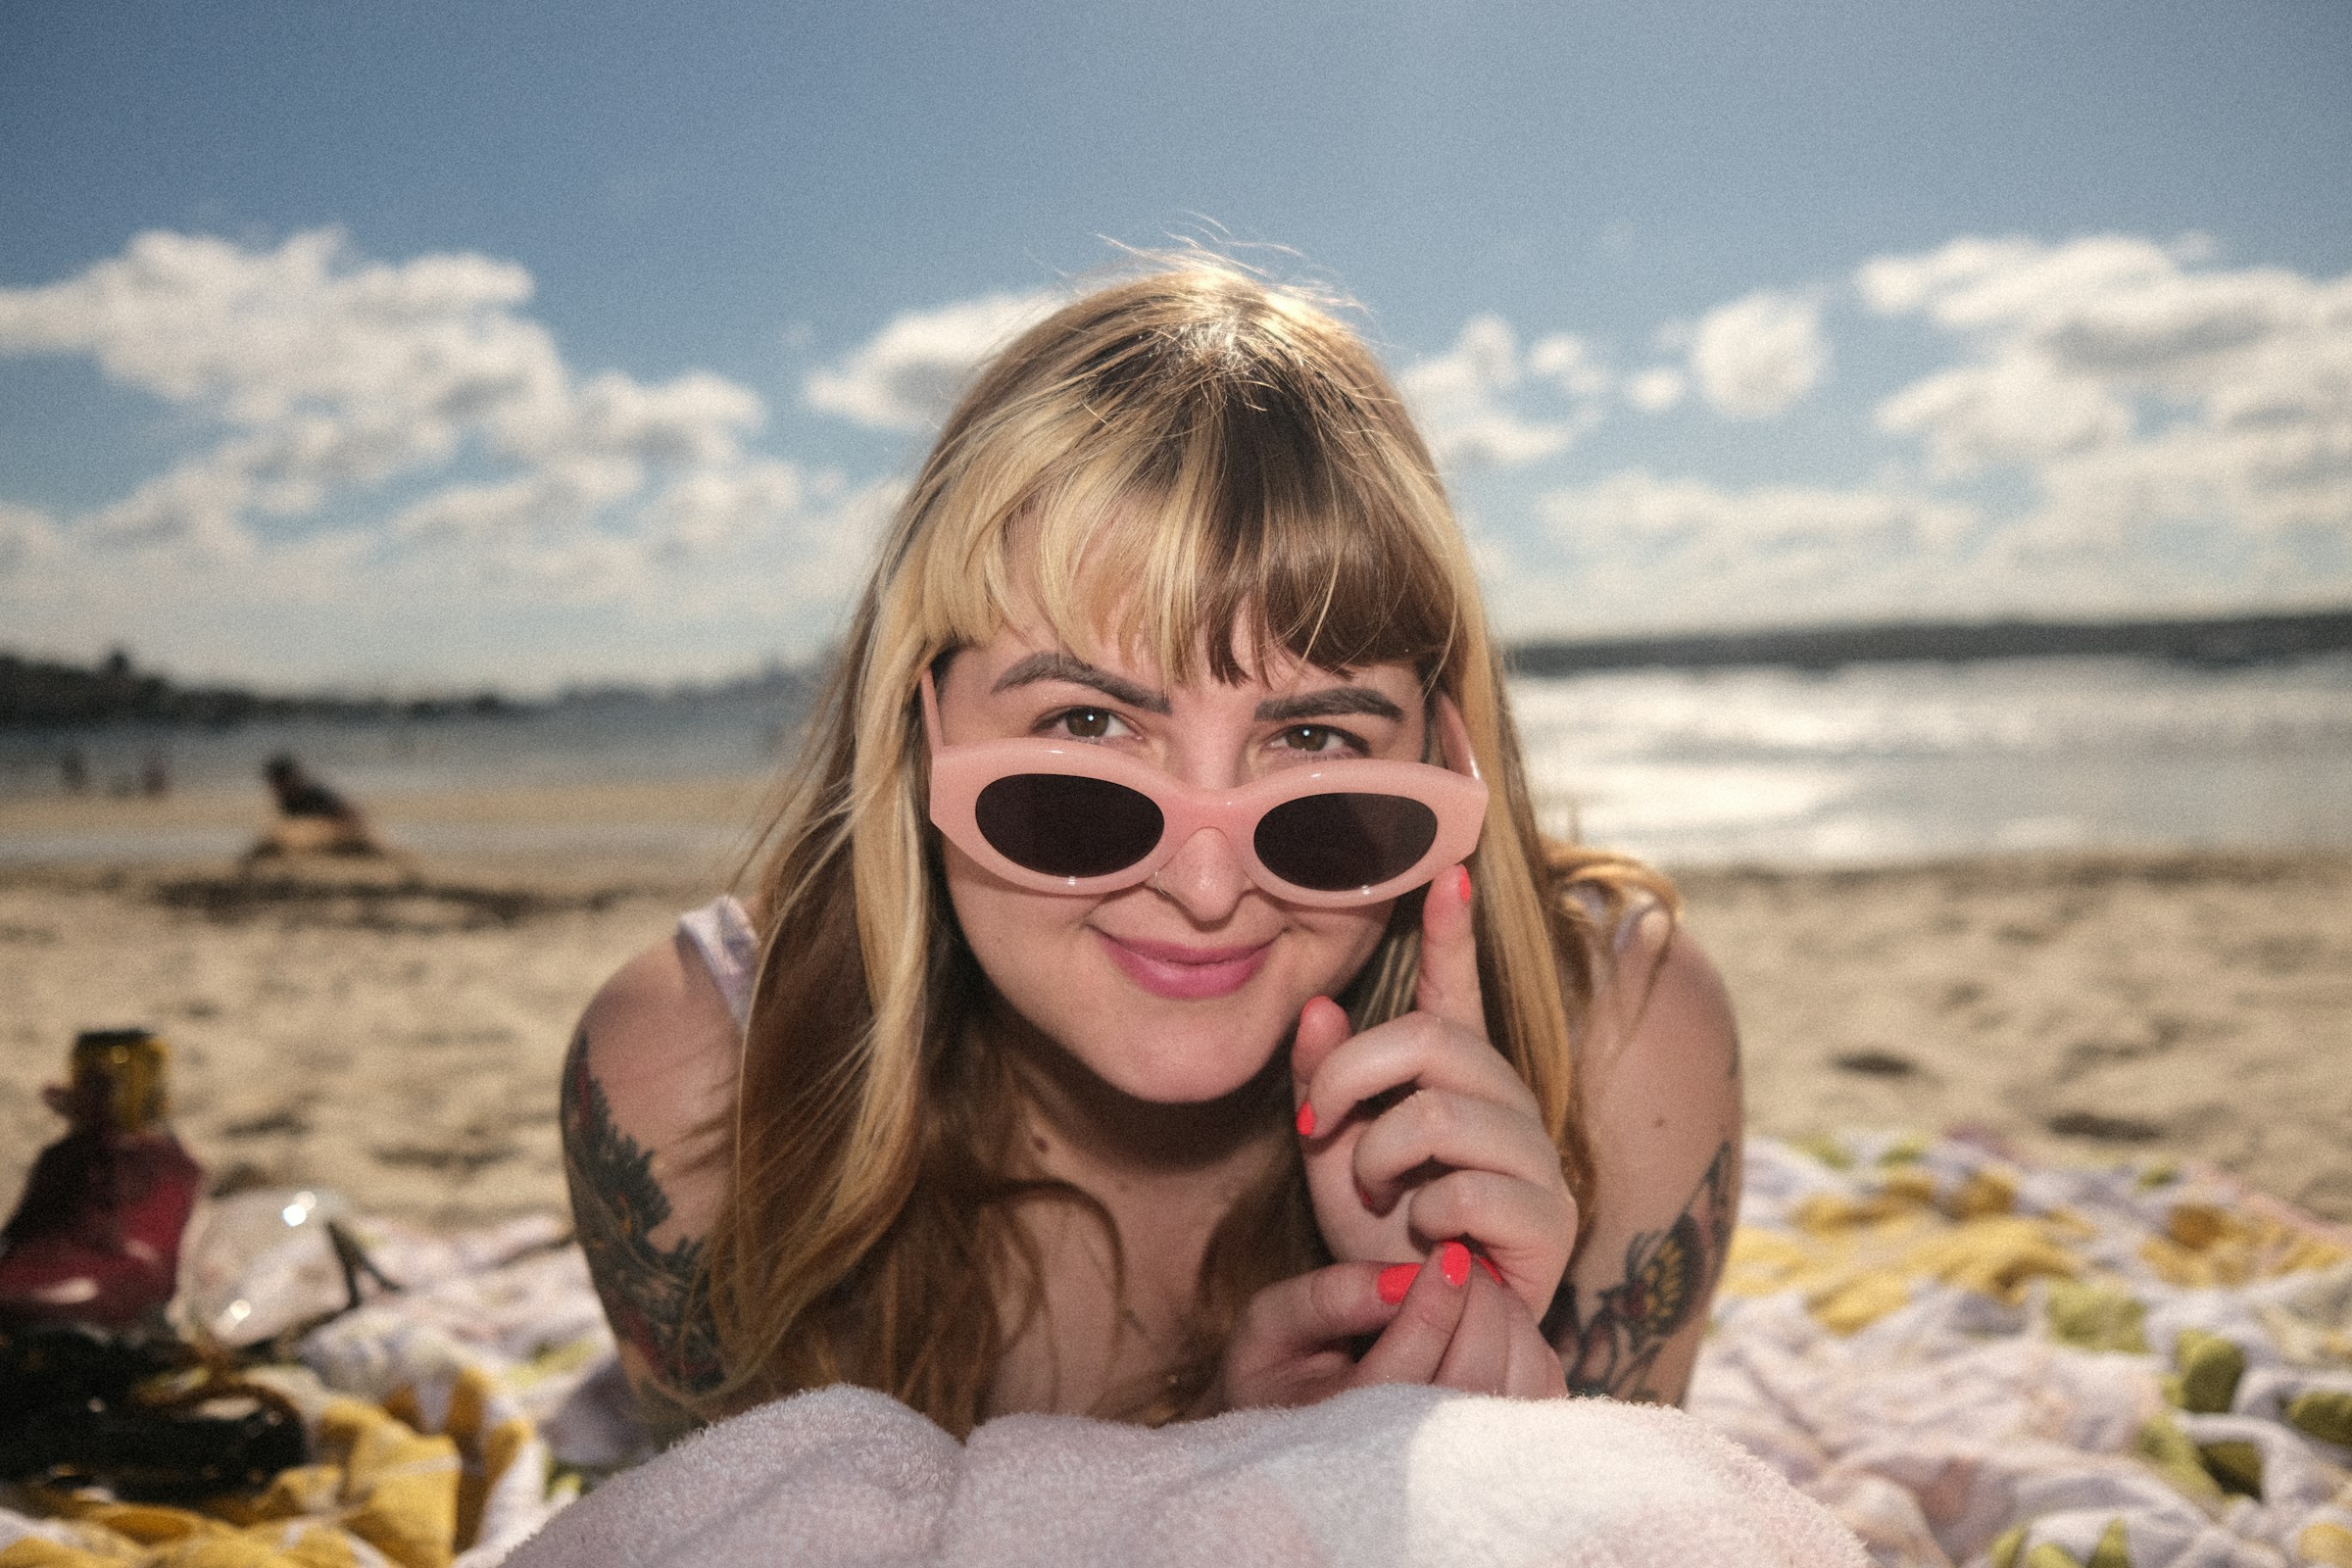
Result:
pixel 1417 1132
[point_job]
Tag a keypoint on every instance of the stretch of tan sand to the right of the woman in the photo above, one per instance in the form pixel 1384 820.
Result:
pixel 2080 1007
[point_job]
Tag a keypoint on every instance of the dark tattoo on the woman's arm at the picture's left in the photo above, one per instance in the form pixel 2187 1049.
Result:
pixel 655 1299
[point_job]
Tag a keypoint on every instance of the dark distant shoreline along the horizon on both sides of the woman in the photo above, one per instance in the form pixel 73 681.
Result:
pixel 48 695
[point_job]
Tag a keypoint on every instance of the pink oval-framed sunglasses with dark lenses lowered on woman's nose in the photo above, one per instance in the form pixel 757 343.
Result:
pixel 1067 817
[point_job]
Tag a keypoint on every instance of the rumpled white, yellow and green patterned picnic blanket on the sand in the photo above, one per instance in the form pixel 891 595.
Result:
pixel 1970 1360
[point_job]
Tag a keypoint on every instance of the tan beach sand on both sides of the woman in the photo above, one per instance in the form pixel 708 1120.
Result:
pixel 399 1040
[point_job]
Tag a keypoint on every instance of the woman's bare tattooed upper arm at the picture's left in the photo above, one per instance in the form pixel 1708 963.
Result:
pixel 646 1099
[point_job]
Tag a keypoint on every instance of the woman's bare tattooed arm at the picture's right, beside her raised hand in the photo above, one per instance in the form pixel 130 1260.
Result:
pixel 1662 1094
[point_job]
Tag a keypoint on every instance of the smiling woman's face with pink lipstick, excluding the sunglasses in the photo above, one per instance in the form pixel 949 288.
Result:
pixel 1182 989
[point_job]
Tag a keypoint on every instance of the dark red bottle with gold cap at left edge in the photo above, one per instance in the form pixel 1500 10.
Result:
pixel 95 1238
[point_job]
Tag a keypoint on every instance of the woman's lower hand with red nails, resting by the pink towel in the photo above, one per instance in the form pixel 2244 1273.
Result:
pixel 1443 1322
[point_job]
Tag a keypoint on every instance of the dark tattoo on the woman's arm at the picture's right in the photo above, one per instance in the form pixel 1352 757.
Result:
pixel 1669 1280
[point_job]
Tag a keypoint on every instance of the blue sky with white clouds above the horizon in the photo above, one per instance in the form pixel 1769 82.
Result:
pixel 443 342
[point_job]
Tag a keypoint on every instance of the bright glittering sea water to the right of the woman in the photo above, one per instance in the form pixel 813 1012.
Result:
pixel 1930 760
